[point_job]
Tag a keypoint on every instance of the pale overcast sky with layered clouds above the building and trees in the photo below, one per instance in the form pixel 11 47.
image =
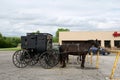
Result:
pixel 18 17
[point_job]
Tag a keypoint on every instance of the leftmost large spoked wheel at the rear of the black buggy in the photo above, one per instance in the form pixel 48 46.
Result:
pixel 20 58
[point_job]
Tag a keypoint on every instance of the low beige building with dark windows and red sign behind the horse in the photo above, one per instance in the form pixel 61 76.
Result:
pixel 105 38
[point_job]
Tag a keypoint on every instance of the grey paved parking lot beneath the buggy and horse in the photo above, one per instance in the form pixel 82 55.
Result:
pixel 72 72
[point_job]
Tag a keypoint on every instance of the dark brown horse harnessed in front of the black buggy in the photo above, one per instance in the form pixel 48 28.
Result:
pixel 81 49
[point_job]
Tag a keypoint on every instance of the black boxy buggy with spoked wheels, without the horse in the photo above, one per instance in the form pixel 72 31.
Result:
pixel 36 47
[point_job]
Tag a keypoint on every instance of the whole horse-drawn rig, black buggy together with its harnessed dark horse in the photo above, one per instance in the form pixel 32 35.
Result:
pixel 37 47
